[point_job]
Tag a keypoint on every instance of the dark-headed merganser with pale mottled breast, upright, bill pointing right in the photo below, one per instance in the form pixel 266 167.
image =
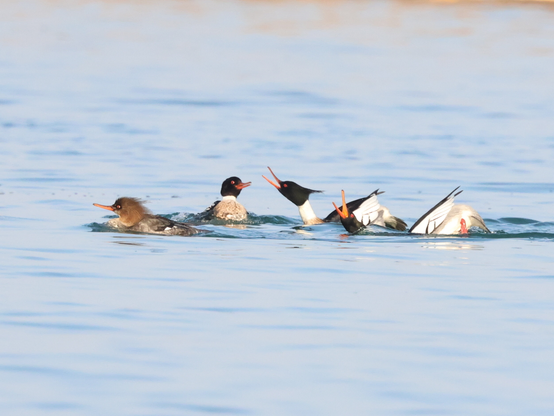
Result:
pixel 228 208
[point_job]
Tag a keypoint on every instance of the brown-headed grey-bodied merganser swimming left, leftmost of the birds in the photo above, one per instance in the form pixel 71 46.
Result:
pixel 133 216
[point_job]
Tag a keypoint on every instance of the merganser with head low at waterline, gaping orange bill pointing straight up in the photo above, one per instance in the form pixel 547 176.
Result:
pixel 367 213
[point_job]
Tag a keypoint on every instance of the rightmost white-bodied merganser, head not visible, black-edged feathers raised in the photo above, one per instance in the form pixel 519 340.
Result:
pixel 447 218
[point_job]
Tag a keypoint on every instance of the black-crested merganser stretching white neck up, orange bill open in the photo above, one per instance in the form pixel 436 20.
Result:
pixel 299 196
